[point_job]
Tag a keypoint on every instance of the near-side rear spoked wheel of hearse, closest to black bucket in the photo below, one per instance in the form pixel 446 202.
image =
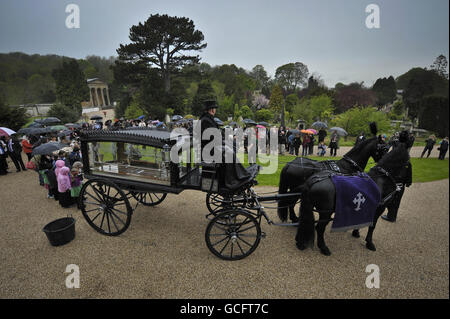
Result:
pixel 105 207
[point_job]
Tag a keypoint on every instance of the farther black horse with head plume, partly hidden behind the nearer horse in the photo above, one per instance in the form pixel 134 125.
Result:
pixel 295 173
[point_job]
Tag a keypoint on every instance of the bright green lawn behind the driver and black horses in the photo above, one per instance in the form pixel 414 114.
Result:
pixel 424 169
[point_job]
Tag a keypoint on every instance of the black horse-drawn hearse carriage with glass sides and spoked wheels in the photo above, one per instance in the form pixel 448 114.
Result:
pixel 120 165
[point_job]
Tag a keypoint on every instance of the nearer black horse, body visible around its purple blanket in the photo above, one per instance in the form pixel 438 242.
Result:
pixel 319 194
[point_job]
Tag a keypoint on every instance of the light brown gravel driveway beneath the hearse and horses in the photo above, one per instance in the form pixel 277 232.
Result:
pixel 163 254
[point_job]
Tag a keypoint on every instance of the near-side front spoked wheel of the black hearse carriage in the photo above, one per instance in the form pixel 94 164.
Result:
pixel 233 234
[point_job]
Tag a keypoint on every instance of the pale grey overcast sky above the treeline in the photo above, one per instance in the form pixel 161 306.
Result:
pixel 329 36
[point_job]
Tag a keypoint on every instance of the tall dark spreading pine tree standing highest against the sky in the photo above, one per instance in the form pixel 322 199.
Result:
pixel 161 41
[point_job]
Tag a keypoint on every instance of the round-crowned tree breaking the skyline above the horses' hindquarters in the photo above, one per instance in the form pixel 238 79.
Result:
pixel 292 75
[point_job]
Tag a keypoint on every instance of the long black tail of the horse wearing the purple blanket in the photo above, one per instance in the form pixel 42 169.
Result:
pixel 305 231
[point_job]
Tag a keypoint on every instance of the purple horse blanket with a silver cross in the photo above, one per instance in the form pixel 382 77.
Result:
pixel 357 198
